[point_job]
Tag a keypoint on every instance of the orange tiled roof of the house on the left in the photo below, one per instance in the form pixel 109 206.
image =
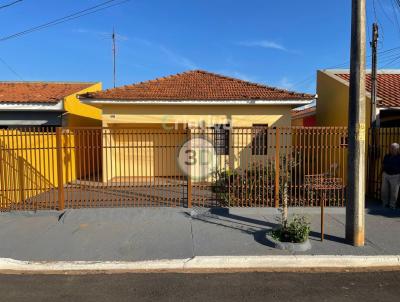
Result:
pixel 38 92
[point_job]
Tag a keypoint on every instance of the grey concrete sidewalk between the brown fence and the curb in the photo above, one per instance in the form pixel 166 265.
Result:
pixel 138 234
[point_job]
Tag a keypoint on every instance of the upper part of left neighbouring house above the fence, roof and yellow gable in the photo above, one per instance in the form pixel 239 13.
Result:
pixel 53 104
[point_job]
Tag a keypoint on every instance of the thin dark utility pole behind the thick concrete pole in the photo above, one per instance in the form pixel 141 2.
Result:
pixel 374 45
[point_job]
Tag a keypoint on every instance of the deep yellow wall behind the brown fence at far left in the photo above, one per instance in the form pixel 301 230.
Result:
pixel 28 162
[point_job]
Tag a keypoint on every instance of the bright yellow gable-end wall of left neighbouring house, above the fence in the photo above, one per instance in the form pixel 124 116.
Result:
pixel 79 114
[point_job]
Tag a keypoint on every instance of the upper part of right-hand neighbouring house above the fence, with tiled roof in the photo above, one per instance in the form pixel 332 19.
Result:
pixel 333 98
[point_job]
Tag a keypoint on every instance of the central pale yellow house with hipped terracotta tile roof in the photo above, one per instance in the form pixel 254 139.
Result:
pixel 178 102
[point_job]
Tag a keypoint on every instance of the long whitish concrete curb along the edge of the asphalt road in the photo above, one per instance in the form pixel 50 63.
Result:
pixel 206 263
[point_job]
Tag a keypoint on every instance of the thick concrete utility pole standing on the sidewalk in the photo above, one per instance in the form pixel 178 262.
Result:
pixel 355 216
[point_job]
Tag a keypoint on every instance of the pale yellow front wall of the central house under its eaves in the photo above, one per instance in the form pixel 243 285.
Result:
pixel 163 118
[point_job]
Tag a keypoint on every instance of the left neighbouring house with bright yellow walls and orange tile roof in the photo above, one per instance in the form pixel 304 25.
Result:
pixel 29 161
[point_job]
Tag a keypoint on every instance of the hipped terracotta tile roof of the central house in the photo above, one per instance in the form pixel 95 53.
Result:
pixel 197 85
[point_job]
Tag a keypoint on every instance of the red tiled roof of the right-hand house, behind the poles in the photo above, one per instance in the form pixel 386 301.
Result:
pixel 388 87
